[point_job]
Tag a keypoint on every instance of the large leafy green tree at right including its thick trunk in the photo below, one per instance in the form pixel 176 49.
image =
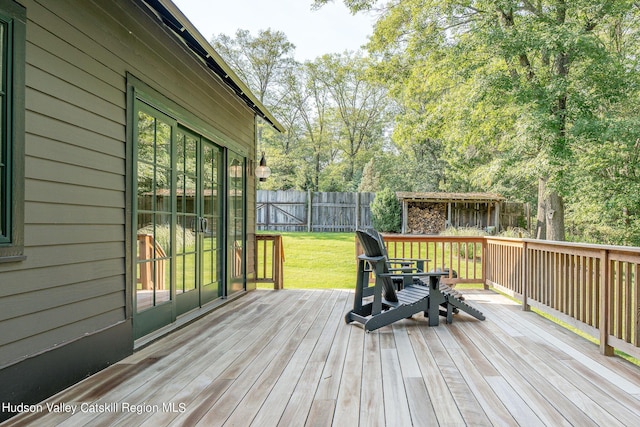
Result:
pixel 515 80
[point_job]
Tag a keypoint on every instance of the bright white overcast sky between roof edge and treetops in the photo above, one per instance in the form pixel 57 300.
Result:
pixel 332 29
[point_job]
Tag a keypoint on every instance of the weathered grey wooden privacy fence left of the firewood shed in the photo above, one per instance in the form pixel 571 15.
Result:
pixel 312 211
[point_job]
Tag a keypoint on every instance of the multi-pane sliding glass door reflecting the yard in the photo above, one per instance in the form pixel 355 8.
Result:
pixel 189 206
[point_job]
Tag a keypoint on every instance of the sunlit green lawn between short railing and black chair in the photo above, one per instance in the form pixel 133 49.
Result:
pixel 318 260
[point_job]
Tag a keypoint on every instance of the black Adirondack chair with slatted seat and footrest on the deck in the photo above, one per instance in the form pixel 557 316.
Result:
pixel 390 305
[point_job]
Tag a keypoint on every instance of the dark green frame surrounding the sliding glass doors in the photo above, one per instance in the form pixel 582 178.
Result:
pixel 159 316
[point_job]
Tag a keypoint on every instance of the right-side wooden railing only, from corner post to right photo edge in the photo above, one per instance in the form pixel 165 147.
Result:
pixel 593 288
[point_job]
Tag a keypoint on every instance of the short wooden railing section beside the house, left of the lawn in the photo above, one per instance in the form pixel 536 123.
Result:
pixel 270 253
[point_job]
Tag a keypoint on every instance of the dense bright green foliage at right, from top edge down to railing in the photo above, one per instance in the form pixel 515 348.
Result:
pixel 507 94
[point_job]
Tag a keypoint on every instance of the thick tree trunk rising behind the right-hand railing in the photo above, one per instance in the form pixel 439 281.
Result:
pixel 550 217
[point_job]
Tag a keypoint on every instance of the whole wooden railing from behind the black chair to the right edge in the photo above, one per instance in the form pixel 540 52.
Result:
pixel 593 288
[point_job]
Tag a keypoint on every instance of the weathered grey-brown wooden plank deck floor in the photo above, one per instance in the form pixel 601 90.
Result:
pixel 287 358
